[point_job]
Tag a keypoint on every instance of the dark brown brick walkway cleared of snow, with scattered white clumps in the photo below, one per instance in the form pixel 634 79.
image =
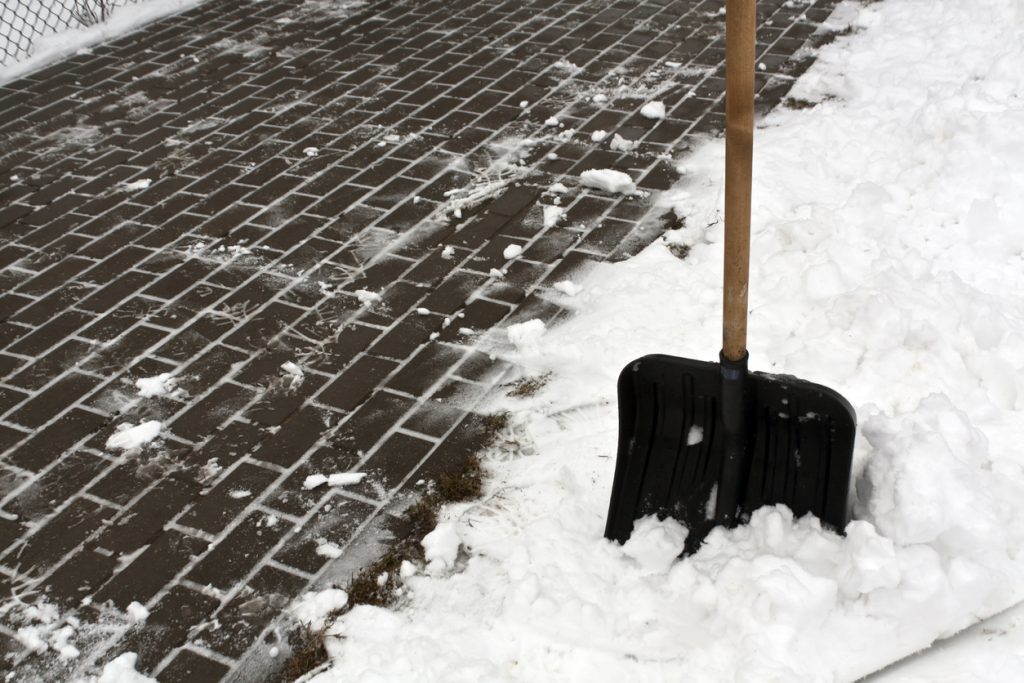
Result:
pixel 303 160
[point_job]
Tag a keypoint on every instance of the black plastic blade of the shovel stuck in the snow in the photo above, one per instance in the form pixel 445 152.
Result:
pixel 798 445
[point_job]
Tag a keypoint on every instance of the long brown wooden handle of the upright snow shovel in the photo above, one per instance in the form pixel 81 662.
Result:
pixel 741 27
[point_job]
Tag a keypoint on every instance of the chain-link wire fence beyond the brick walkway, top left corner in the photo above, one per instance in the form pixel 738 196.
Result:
pixel 25 22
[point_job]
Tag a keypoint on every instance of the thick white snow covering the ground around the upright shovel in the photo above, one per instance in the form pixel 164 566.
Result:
pixel 888 263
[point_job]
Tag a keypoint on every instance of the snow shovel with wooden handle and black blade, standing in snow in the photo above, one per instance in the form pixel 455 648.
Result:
pixel 708 444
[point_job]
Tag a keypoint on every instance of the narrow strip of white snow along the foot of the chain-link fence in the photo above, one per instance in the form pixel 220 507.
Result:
pixel 123 20
